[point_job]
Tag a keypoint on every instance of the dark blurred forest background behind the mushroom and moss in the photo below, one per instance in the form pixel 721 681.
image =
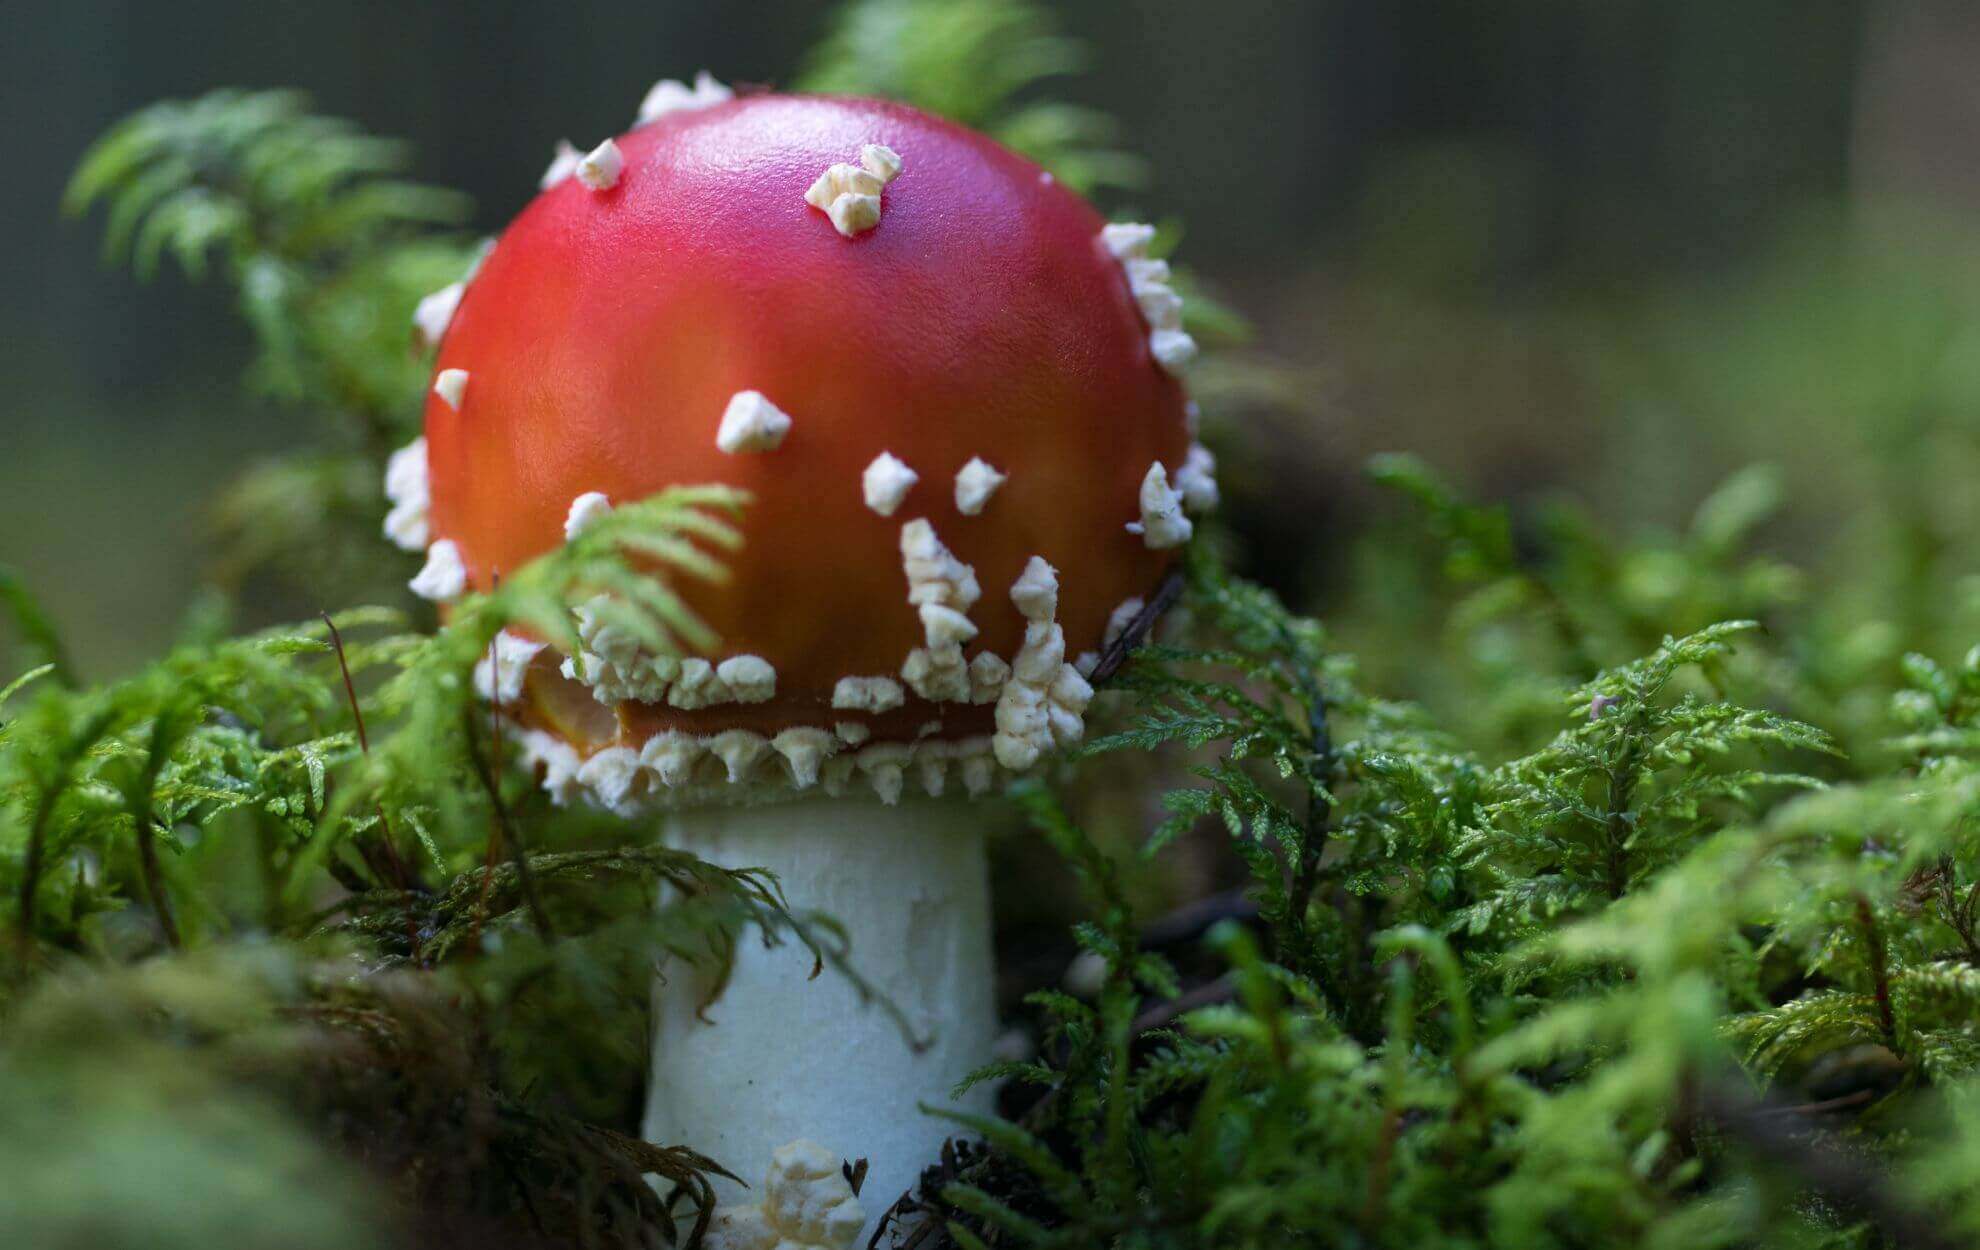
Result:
pixel 1601 253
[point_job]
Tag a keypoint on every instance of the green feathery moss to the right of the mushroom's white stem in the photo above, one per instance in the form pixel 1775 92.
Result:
pixel 1500 1005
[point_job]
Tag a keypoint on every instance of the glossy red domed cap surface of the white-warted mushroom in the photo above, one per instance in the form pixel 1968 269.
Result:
pixel 609 332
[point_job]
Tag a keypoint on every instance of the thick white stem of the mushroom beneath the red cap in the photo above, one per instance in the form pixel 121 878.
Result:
pixel 783 1057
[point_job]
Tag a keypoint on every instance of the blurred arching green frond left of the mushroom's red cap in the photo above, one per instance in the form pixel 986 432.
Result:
pixel 330 255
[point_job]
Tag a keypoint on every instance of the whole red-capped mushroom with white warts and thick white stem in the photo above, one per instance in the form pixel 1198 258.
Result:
pixel 945 383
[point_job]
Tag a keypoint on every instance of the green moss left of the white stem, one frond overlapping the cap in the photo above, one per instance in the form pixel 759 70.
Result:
pixel 241 791
